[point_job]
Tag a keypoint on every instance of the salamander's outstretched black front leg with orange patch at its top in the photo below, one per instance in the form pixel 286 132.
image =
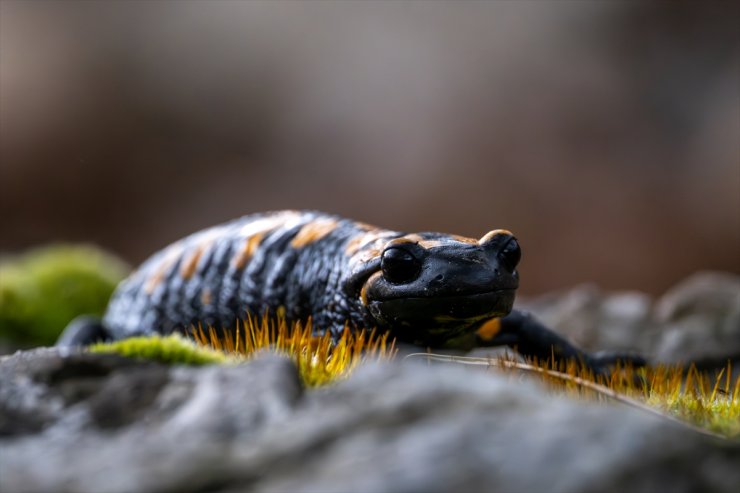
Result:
pixel 531 338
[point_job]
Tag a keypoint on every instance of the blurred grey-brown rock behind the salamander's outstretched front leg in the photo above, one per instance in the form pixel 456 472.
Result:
pixel 696 321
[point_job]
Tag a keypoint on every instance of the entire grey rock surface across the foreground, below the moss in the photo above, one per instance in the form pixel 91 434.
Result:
pixel 96 423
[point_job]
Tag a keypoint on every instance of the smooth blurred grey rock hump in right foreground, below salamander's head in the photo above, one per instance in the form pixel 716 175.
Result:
pixel 440 429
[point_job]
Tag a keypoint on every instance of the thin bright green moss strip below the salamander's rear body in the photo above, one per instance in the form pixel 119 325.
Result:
pixel 173 350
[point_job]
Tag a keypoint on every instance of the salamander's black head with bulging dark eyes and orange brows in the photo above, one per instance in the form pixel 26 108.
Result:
pixel 432 287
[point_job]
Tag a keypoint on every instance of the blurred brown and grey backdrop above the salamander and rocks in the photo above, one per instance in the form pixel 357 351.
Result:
pixel 606 135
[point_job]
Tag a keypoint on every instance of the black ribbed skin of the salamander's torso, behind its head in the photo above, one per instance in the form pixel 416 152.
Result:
pixel 303 281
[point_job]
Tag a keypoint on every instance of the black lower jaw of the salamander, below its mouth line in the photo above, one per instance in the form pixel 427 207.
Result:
pixel 443 310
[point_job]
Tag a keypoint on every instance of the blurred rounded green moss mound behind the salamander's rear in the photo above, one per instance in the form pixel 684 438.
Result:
pixel 43 289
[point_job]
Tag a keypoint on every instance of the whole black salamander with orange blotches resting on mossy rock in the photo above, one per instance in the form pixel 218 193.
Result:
pixel 429 289
